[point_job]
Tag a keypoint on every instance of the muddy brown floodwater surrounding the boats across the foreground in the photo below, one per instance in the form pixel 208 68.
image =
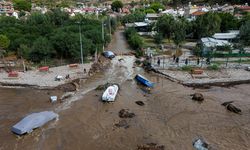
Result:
pixel 169 116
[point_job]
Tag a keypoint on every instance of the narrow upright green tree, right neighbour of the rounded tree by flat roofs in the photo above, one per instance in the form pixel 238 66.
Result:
pixel 179 32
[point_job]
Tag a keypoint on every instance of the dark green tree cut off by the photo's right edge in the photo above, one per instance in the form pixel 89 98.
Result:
pixel 245 33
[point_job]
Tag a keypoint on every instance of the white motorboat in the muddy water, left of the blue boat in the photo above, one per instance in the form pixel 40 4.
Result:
pixel 110 93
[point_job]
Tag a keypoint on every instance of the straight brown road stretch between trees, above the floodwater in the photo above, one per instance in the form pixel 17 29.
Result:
pixel 118 43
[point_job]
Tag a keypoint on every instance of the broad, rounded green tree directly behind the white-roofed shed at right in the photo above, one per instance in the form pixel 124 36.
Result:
pixel 207 25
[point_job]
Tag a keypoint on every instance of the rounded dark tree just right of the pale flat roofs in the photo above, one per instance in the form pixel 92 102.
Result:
pixel 165 25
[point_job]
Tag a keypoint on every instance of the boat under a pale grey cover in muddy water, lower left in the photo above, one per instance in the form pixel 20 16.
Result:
pixel 33 121
